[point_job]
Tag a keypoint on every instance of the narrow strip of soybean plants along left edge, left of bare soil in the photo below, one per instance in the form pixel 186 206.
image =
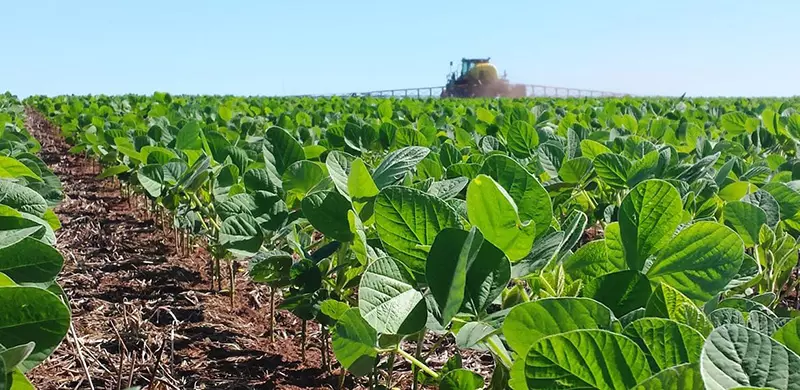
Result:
pixel 34 316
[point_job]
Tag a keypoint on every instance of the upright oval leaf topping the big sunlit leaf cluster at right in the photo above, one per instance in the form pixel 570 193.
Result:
pixel 648 216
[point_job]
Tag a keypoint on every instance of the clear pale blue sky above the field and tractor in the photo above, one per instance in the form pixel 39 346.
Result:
pixel 711 47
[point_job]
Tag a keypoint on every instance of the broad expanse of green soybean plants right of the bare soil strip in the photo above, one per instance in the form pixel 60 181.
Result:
pixel 593 243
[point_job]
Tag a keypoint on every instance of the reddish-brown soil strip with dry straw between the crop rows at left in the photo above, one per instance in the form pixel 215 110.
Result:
pixel 144 315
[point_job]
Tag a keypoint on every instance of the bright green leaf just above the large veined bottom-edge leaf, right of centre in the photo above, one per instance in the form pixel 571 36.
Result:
pixel 527 323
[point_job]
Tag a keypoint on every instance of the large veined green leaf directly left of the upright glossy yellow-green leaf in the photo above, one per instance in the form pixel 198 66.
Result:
pixel 408 221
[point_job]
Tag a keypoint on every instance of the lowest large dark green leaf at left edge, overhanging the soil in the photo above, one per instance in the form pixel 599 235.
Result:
pixel 31 314
